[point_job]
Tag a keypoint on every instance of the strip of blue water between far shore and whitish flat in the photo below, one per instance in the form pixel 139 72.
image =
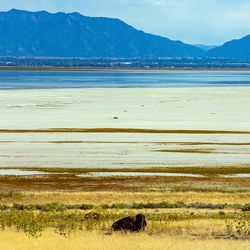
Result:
pixel 53 79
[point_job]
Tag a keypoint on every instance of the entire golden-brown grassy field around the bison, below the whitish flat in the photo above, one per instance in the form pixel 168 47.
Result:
pixel 49 211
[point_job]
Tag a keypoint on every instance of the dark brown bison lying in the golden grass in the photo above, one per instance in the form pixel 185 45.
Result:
pixel 131 223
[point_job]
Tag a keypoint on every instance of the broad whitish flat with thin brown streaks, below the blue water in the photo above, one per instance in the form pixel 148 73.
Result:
pixel 110 128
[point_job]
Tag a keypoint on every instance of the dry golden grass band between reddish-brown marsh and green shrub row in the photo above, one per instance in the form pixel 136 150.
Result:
pixel 124 197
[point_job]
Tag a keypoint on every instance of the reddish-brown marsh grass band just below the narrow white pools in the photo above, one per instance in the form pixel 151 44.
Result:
pixel 72 182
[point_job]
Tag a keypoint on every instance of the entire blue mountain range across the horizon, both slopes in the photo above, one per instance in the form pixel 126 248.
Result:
pixel 43 34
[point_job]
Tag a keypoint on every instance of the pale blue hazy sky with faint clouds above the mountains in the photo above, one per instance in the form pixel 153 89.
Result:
pixel 193 21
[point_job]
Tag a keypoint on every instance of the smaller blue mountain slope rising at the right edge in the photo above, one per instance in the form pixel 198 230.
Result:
pixel 235 49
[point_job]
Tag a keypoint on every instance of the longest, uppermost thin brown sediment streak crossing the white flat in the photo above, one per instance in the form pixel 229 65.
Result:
pixel 121 130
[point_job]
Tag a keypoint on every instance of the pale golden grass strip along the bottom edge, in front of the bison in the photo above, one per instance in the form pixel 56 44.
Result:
pixel 11 240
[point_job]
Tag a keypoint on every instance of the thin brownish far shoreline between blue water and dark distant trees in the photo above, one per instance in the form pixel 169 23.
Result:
pixel 108 69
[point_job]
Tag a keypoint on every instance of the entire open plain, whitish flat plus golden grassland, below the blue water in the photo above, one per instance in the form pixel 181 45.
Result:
pixel 181 156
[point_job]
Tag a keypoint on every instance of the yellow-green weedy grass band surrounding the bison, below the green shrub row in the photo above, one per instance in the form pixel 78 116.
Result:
pixel 34 223
